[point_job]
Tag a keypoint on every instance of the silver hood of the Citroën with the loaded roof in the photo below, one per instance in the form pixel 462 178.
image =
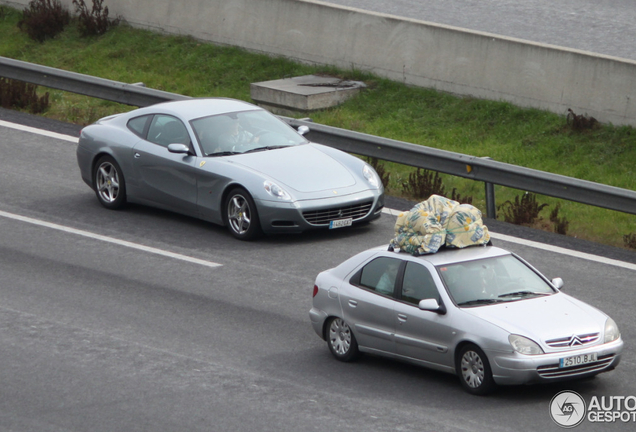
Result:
pixel 543 318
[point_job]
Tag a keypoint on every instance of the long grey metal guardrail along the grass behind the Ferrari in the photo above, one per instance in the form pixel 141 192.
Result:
pixel 479 169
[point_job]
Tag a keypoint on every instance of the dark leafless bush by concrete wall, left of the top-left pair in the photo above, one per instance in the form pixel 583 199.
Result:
pixel 44 19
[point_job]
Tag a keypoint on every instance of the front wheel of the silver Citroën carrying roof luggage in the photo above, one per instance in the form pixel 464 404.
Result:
pixel 474 370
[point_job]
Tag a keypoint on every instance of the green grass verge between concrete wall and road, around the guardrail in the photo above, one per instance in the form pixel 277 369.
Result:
pixel 526 137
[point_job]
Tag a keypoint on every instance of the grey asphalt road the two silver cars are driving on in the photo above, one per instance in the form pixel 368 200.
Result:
pixel 101 335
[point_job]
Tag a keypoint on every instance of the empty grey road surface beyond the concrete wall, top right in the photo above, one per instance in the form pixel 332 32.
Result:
pixel 600 26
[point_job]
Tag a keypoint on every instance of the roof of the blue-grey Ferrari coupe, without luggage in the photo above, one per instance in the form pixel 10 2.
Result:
pixel 190 109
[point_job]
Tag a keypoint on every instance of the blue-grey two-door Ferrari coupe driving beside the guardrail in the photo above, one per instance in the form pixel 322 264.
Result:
pixel 228 162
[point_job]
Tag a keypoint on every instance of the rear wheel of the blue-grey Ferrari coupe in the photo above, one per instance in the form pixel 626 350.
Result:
pixel 110 186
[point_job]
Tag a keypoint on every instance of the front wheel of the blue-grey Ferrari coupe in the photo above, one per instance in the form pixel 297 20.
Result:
pixel 241 215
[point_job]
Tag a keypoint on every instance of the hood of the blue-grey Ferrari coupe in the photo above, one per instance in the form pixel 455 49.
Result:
pixel 303 168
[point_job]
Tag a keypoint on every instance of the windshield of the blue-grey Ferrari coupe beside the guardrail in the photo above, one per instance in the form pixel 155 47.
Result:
pixel 241 132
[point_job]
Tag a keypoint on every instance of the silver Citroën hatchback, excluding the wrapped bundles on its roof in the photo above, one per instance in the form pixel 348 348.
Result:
pixel 482 313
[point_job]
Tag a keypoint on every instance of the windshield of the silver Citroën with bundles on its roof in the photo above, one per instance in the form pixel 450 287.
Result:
pixel 492 280
